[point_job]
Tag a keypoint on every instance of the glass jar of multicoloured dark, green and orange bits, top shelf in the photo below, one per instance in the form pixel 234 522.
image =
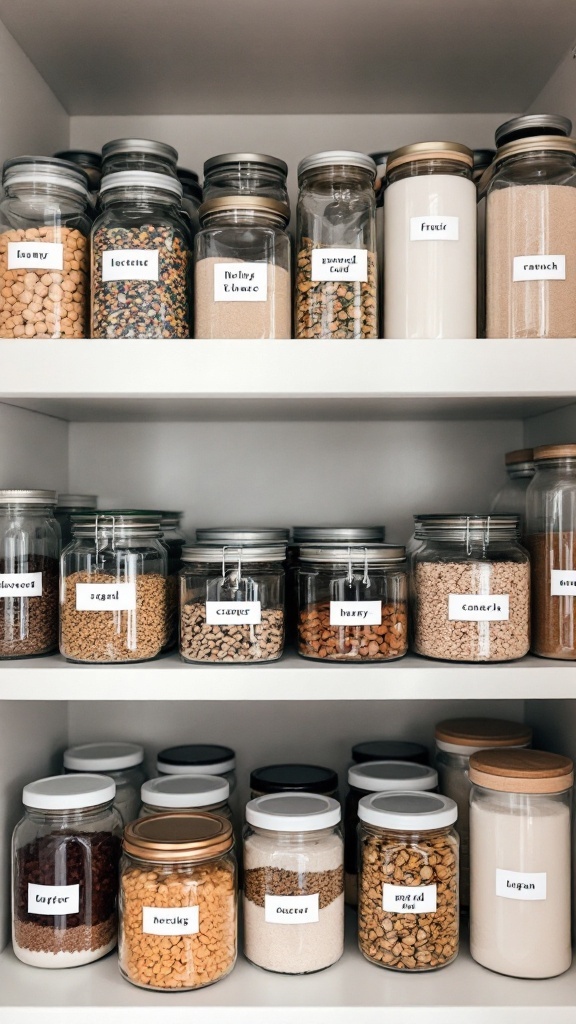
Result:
pixel 142 261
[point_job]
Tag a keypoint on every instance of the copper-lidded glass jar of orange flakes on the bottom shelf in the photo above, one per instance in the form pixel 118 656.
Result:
pixel 178 879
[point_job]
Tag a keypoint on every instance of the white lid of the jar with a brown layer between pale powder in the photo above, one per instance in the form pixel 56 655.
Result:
pixel 294 813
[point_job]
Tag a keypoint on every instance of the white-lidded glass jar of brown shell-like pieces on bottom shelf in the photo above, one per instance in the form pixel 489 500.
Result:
pixel 408 881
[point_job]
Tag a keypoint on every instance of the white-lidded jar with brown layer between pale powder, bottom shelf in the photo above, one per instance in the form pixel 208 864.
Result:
pixel 294 883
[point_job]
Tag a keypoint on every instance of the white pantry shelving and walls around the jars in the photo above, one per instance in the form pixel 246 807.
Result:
pixel 276 433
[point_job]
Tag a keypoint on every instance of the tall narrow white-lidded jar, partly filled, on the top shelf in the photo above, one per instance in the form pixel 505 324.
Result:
pixel 337 290
